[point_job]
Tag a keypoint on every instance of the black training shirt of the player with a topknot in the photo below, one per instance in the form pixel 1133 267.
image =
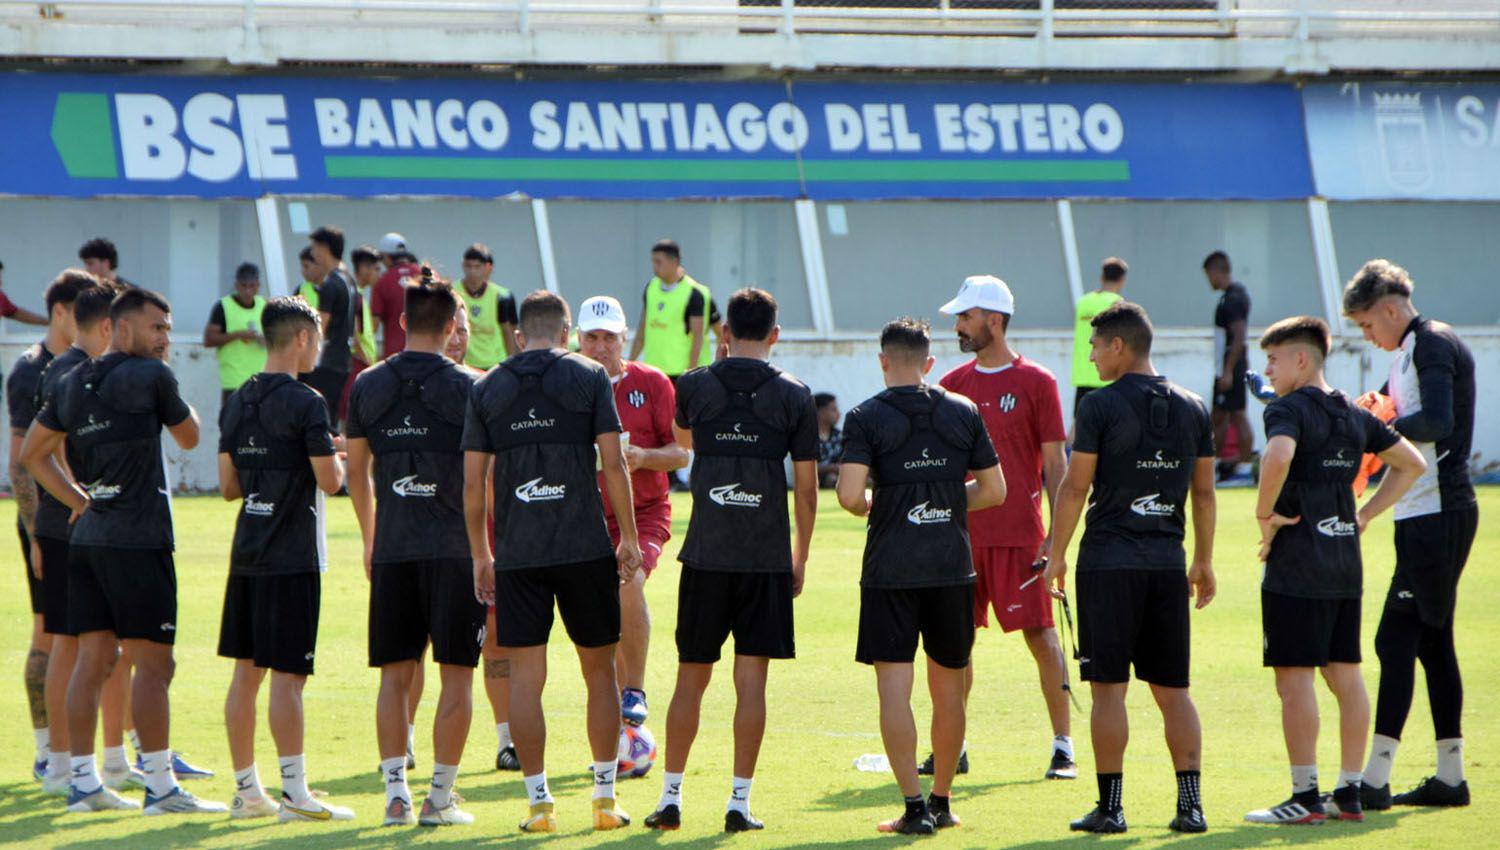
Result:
pixel 410 409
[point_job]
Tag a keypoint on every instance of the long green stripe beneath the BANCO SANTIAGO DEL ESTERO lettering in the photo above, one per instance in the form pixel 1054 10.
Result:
pixel 727 170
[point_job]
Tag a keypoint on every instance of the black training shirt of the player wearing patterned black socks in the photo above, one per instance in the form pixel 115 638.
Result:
pixel 1148 435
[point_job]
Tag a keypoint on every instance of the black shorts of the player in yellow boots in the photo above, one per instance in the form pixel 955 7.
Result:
pixel 587 596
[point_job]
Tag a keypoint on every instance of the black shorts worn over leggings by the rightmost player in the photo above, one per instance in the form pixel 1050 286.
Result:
pixel 1432 552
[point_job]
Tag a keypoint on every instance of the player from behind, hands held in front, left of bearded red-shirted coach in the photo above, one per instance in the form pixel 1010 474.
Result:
pixel 920 443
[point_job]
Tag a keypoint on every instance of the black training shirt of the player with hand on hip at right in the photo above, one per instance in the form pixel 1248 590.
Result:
pixel 1319 557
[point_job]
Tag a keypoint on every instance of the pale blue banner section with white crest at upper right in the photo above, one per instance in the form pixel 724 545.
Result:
pixel 1400 140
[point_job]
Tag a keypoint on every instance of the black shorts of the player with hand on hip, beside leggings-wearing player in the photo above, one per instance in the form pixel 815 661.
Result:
pixel 1309 633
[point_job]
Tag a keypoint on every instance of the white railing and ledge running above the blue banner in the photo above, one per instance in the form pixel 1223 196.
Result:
pixel 1294 35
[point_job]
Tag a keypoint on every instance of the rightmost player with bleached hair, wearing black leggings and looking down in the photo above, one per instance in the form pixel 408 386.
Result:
pixel 1433 386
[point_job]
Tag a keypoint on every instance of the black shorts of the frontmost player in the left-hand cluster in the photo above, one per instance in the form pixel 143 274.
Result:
pixel 131 593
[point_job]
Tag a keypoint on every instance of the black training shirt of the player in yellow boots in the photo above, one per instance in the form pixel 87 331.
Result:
pixel 539 415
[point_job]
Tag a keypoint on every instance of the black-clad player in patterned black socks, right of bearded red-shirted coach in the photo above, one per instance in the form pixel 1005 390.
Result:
pixel 1144 444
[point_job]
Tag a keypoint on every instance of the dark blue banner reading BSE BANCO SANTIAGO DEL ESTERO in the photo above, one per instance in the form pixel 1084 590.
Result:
pixel 242 137
